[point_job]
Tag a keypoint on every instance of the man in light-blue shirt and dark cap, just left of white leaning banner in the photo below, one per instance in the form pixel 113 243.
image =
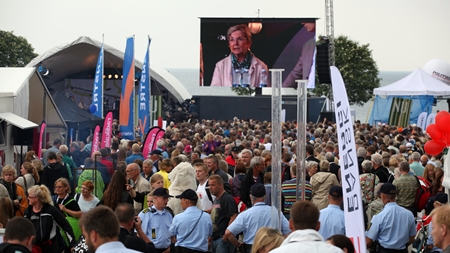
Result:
pixel 332 219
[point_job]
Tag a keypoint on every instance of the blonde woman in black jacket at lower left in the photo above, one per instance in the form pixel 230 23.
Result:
pixel 44 215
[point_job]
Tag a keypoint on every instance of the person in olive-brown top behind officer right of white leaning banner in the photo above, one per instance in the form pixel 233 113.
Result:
pixel 406 188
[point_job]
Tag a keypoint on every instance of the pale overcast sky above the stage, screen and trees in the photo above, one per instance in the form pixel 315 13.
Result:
pixel 403 34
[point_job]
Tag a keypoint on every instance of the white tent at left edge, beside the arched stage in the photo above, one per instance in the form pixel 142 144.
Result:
pixel 24 103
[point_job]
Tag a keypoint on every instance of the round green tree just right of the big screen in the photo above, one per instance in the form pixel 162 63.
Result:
pixel 358 69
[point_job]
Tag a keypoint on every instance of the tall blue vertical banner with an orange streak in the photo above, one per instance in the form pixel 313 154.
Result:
pixel 126 115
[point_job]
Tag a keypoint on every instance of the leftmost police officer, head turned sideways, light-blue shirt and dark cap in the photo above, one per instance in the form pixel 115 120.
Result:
pixel 157 219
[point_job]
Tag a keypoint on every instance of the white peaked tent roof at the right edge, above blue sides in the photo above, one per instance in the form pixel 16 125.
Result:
pixel 416 83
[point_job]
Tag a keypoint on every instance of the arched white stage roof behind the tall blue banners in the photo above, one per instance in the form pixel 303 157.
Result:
pixel 81 54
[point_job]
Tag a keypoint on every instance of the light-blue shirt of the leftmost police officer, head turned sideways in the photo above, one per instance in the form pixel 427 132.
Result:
pixel 156 226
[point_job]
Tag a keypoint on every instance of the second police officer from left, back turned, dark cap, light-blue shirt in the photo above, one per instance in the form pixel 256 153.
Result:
pixel 193 227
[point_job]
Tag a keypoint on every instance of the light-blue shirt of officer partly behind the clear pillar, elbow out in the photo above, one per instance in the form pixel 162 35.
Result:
pixel 253 219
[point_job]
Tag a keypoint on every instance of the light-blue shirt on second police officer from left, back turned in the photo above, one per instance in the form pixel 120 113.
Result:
pixel 183 224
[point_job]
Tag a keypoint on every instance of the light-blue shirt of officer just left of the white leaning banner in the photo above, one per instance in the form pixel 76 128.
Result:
pixel 332 221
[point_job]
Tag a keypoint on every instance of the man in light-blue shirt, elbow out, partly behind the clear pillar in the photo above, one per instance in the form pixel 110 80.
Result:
pixel 249 221
